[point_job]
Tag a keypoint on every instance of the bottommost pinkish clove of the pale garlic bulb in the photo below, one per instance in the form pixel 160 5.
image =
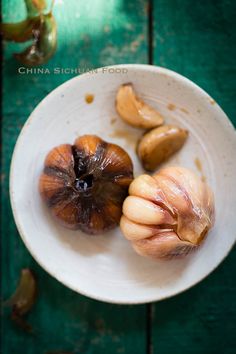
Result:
pixel 166 244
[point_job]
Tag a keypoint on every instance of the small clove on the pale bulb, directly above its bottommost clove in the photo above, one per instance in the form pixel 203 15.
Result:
pixel 134 231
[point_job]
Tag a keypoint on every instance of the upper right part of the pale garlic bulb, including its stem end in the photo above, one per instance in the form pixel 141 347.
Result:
pixel 191 199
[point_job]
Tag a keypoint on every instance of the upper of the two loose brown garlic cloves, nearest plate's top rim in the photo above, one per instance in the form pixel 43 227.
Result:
pixel 134 111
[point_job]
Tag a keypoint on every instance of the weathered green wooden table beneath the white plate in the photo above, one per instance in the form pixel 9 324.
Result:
pixel 195 38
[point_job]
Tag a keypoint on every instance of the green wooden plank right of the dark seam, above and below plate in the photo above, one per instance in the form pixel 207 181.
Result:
pixel 197 39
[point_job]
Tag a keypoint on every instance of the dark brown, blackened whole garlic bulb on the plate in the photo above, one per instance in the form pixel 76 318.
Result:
pixel 85 184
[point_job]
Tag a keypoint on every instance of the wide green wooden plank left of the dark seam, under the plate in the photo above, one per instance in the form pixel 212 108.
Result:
pixel 91 34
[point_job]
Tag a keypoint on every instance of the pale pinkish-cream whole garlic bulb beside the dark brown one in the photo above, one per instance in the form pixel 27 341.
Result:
pixel 168 214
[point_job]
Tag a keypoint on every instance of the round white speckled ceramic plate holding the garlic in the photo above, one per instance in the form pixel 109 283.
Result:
pixel 106 267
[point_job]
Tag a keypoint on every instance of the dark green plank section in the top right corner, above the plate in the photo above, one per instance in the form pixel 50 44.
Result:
pixel 197 39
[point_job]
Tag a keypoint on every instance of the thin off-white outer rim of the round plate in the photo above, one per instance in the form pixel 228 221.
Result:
pixel 58 89
